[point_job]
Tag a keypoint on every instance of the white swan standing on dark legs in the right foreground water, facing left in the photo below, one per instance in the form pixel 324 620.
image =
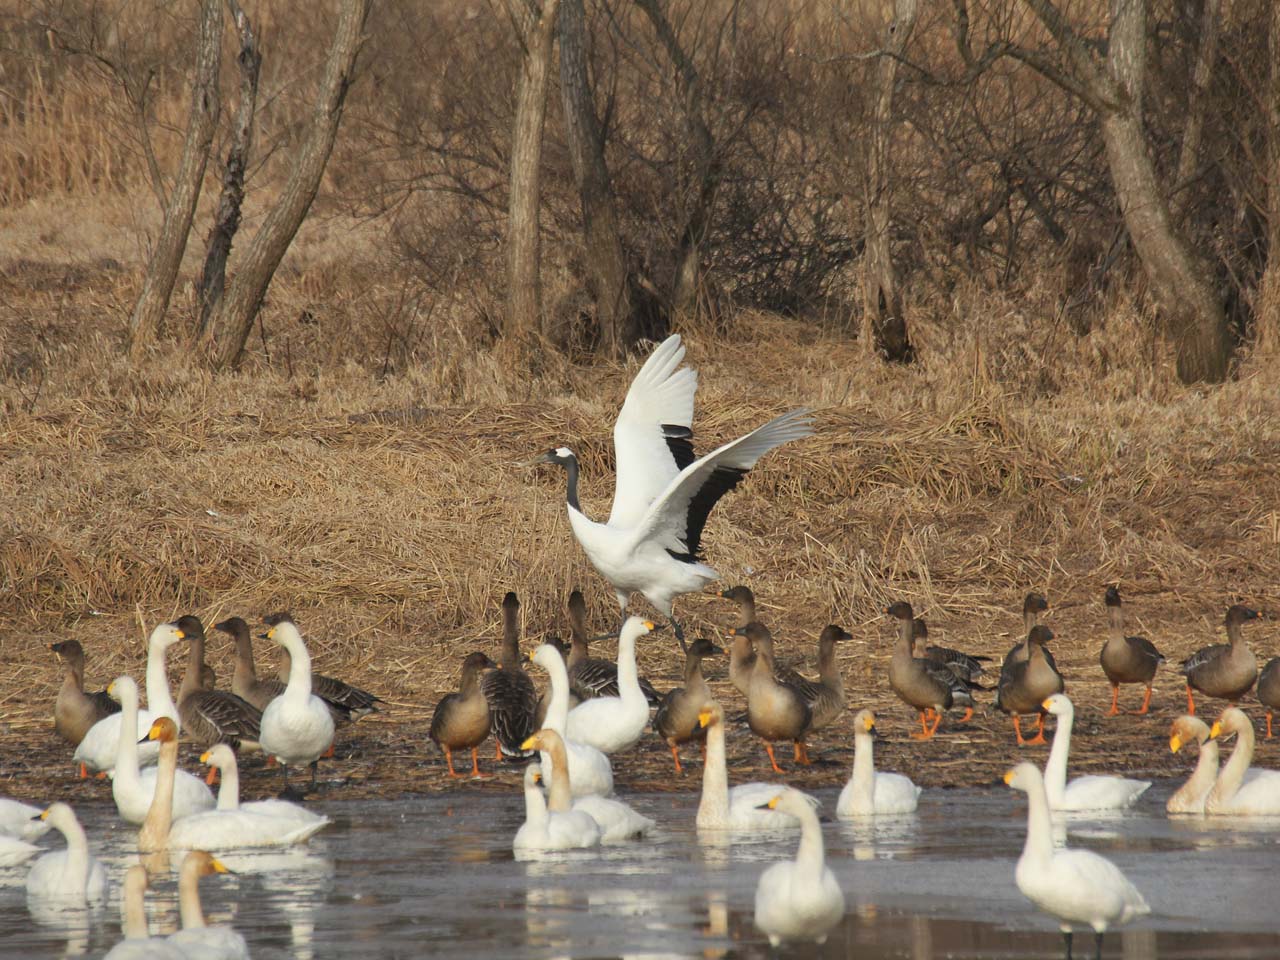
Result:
pixel 1075 886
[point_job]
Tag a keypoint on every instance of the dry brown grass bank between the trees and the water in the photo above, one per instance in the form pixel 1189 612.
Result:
pixel 390 514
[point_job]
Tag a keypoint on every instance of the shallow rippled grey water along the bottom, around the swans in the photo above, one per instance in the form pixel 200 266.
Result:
pixel 436 876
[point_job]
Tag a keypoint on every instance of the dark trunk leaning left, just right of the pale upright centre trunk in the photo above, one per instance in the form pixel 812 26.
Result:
pixel 602 243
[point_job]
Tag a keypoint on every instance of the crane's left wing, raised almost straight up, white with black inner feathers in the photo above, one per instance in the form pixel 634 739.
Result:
pixel 653 438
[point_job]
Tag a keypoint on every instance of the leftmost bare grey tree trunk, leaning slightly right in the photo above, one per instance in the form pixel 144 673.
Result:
pixel 167 258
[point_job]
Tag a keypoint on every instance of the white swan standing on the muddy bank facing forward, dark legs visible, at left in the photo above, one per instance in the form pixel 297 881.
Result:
pixel 298 726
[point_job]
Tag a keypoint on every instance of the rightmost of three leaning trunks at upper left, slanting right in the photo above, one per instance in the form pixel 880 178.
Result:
pixel 234 318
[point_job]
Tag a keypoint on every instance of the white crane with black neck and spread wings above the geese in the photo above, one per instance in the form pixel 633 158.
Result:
pixel 664 495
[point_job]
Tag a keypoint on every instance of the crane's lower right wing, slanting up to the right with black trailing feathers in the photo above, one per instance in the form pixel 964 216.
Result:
pixel 676 519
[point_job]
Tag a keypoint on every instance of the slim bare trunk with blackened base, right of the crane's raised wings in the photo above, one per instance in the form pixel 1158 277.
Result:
pixel 884 326
